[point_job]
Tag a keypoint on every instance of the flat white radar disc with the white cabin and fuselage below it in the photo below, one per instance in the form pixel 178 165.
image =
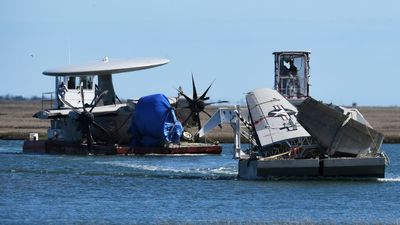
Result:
pixel 85 96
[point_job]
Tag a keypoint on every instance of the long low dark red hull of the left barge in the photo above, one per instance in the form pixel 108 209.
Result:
pixel 61 147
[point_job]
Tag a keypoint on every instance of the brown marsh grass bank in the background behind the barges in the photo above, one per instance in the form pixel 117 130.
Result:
pixel 16 121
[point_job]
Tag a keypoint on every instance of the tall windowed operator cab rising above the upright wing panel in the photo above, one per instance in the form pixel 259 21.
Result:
pixel 292 75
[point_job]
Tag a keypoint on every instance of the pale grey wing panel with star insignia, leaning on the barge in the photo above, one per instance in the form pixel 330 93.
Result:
pixel 273 117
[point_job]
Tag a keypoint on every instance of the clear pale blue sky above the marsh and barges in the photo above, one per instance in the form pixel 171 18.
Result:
pixel 354 45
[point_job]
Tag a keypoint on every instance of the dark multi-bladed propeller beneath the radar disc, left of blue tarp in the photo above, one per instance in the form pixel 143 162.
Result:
pixel 86 117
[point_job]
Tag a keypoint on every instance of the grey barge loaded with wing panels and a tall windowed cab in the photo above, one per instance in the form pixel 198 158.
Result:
pixel 293 135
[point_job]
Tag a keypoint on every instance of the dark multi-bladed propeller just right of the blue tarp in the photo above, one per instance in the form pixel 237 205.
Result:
pixel 197 104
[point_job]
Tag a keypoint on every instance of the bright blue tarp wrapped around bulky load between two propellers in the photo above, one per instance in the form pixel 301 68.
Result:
pixel 154 122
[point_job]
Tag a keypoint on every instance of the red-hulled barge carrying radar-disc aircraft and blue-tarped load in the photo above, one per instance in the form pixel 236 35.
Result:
pixel 87 117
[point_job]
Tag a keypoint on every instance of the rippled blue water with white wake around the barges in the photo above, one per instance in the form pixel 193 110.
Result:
pixel 56 189
